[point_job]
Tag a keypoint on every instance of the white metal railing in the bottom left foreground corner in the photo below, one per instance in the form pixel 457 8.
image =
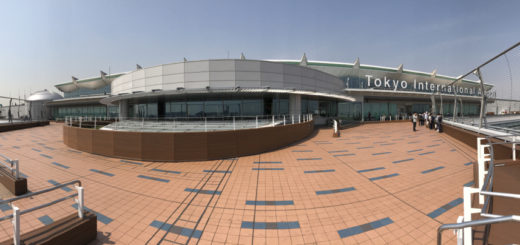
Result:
pixel 17 212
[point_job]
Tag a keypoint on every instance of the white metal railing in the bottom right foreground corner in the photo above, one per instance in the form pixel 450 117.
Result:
pixel 484 190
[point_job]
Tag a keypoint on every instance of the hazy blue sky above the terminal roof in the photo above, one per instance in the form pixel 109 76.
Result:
pixel 44 43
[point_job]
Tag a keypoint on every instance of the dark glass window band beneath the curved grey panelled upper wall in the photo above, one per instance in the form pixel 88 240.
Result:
pixel 267 104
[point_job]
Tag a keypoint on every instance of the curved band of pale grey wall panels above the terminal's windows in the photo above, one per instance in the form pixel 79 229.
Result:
pixel 226 74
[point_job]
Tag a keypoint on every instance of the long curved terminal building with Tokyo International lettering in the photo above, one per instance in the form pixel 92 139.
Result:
pixel 242 87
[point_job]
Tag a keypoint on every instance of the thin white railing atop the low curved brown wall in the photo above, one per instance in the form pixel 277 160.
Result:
pixel 198 124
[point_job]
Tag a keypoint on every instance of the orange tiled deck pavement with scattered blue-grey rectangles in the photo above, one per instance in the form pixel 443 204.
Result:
pixel 376 184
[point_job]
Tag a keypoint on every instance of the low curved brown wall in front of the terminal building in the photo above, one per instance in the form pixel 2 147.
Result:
pixel 190 146
